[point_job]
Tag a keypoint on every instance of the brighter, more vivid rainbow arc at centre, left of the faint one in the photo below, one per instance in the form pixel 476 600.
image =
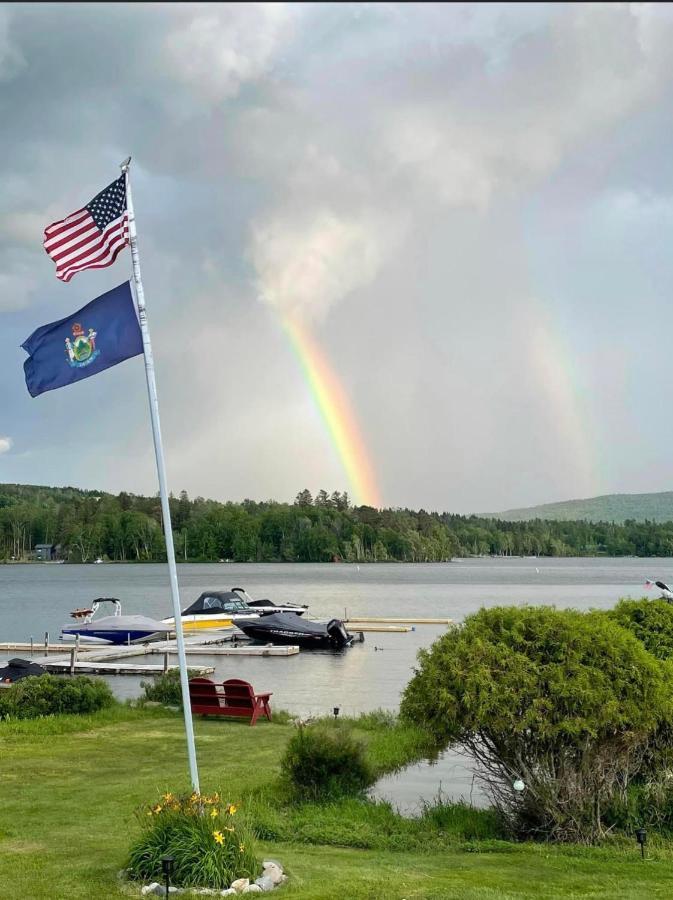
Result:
pixel 337 414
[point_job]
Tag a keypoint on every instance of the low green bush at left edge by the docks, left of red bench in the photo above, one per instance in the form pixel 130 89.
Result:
pixel 48 695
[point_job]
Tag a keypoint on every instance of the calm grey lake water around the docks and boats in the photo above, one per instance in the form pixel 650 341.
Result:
pixel 39 598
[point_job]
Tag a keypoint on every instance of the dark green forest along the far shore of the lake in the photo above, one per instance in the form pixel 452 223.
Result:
pixel 86 525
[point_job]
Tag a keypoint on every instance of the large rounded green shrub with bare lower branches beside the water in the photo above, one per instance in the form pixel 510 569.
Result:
pixel 565 701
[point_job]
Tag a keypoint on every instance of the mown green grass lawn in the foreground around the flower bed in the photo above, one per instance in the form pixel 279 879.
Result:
pixel 69 788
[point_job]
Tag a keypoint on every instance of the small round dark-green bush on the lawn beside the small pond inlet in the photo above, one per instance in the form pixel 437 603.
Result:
pixel 326 761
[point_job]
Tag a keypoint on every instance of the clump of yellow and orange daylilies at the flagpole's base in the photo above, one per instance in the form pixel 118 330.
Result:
pixel 211 846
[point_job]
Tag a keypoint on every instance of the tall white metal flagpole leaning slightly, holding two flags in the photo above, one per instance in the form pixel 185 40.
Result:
pixel 161 470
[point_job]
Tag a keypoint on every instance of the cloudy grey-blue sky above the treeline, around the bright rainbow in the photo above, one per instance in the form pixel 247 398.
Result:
pixel 468 208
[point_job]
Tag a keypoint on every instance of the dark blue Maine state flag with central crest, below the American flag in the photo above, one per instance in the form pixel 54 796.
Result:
pixel 101 334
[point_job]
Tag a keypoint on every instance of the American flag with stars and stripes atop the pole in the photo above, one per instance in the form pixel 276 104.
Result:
pixel 92 237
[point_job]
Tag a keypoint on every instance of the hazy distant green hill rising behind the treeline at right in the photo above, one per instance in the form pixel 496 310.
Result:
pixel 609 508
